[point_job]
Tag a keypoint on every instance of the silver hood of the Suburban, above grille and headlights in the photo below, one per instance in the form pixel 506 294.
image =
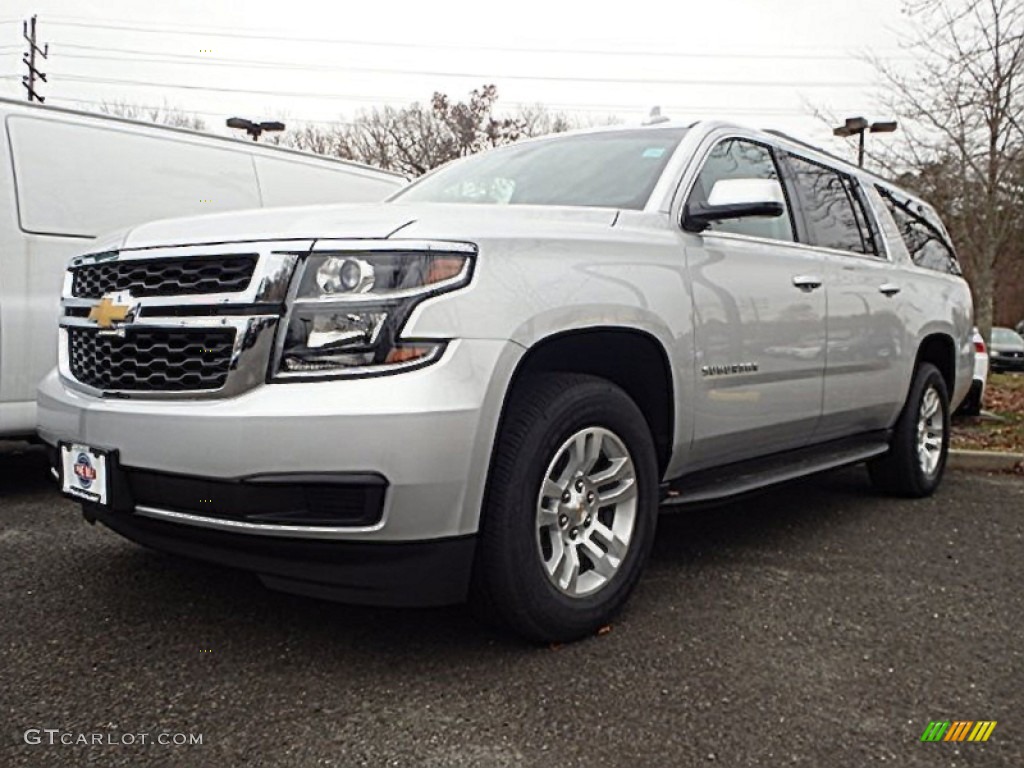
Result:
pixel 372 222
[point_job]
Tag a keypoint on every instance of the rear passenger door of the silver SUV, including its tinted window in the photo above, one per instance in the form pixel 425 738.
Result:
pixel 864 381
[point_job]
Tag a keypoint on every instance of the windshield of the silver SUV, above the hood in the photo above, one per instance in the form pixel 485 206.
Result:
pixel 611 169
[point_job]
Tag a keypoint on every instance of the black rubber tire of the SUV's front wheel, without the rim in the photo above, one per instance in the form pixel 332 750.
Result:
pixel 511 587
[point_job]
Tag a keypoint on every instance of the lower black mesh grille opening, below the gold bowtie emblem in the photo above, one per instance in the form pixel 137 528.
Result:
pixel 151 359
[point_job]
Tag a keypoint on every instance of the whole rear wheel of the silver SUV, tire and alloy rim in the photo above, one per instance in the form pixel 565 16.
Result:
pixel 917 456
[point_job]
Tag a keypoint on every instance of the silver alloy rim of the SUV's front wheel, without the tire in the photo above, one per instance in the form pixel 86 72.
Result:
pixel 587 511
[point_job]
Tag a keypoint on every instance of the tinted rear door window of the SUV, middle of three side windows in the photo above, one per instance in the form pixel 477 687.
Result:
pixel 832 207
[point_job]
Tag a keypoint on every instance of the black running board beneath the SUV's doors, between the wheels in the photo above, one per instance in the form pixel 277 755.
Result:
pixel 744 478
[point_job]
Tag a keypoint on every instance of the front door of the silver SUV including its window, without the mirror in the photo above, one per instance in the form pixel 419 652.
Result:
pixel 759 313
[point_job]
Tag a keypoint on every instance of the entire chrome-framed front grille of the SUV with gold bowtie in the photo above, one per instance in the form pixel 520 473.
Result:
pixel 156 353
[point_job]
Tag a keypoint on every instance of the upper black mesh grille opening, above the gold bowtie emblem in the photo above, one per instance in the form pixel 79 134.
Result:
pixel 177 277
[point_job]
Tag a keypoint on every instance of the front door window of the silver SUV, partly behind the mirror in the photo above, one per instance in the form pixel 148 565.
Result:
pixel 739 159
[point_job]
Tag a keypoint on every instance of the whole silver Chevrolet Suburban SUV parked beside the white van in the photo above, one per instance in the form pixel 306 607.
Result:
pixel 488 387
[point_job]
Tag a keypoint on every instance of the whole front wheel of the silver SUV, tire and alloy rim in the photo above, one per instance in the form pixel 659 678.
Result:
pixel 571 511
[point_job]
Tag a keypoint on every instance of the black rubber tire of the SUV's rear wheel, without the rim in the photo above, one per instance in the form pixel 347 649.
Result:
pixel 901 472
